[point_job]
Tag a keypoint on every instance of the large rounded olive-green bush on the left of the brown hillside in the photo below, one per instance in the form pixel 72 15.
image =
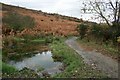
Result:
pixel 17 21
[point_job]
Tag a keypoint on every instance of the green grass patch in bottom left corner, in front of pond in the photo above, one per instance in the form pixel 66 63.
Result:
pixel 9 71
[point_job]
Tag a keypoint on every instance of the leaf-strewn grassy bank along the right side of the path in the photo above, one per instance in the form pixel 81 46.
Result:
pixel 108 49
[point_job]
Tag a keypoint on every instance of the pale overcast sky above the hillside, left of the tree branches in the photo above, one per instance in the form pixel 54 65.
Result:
pixel 64 7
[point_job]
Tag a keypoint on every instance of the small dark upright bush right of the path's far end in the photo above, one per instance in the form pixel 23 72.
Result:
pixel 82 28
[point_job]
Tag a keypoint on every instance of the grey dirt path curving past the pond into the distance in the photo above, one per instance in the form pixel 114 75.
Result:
pixel 95 59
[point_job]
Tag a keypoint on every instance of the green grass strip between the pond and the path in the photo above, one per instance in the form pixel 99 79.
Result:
pixel 74 65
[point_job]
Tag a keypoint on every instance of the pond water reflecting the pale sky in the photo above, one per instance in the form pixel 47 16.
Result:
pixel 43 60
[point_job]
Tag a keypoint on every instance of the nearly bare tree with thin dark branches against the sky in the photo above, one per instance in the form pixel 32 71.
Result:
pixel 108 11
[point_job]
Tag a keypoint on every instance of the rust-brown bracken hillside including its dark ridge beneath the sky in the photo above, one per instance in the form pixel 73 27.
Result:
pixel 45 23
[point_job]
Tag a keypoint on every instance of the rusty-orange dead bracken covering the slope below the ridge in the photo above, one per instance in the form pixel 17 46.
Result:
pixel 49 24
